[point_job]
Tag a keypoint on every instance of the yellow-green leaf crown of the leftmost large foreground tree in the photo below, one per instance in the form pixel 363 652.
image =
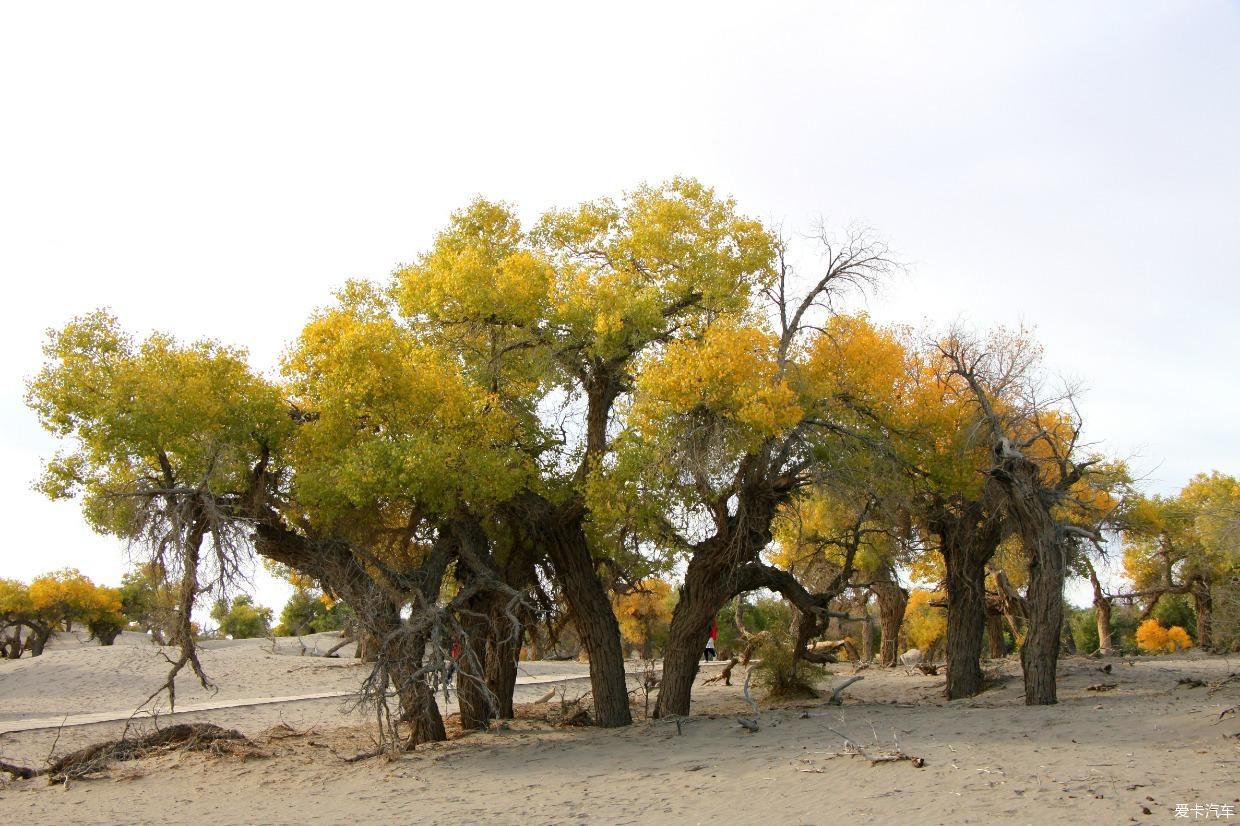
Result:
pixel 148 417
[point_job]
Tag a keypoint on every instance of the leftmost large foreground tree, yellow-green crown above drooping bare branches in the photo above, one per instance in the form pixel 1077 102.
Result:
pixel 169 442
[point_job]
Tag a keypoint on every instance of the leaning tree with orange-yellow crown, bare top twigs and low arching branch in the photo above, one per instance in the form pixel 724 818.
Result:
pixel 732 411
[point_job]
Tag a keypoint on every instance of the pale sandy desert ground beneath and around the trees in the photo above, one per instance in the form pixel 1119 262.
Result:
pixel 1129 755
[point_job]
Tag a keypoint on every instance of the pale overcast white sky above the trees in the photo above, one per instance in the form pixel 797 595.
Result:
pixel 216 171
